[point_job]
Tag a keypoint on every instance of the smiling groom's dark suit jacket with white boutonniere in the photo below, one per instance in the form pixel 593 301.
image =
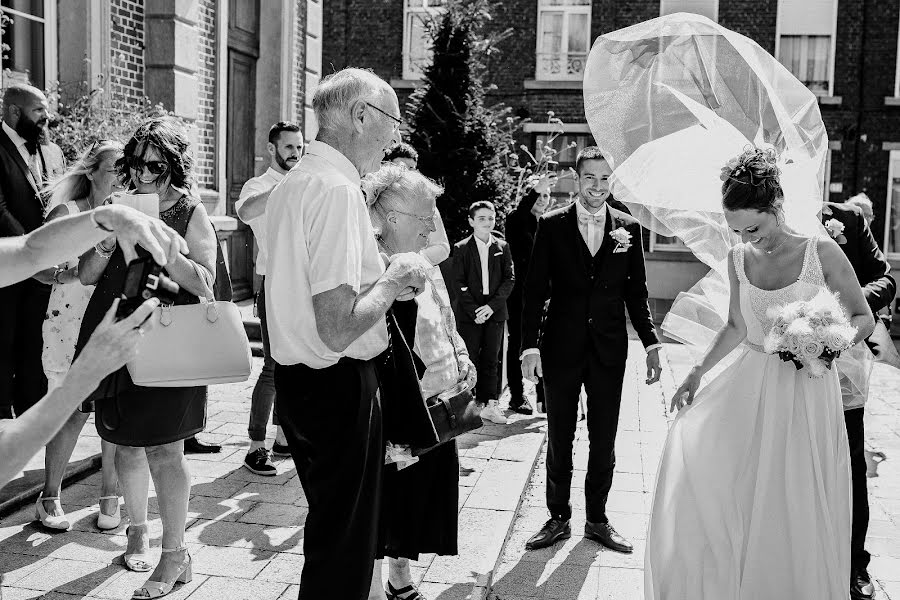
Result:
pixel 588 295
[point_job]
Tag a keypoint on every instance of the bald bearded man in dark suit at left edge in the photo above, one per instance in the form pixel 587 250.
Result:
pixel 27 162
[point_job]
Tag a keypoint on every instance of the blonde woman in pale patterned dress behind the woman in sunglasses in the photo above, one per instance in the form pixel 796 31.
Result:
pixel 83 187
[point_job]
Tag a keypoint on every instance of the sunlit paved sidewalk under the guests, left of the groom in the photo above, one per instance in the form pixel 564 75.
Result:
pixel 245 532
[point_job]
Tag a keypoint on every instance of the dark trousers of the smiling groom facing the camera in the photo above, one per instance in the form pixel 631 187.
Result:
pixel 562 388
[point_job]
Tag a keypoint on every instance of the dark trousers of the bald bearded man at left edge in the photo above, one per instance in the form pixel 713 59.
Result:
pixel 23 307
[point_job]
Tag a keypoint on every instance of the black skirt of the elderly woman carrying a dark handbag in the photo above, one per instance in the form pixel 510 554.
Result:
pixel 420 503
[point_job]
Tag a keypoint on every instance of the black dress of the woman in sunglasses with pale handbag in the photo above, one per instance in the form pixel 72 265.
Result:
pixel 129 414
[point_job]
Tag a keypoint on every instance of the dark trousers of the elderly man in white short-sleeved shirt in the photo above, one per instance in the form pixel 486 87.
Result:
pixel 332 420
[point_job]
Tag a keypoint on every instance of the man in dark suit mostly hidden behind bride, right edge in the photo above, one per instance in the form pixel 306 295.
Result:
pixel 847 225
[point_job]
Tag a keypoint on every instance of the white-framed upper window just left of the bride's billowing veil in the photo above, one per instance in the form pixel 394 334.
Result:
pixel 564 39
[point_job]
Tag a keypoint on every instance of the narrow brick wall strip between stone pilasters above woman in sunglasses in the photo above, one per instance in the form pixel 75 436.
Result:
pixel 126 70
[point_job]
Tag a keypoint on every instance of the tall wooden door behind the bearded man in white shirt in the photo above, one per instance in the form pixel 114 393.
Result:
pixel 243 50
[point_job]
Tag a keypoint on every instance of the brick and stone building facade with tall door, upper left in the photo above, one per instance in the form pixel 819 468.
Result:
pixel 229 68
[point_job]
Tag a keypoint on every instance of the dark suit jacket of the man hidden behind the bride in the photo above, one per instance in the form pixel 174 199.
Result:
pixel 872 269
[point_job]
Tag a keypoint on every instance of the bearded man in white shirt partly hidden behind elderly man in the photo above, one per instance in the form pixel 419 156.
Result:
pixel 285 148
